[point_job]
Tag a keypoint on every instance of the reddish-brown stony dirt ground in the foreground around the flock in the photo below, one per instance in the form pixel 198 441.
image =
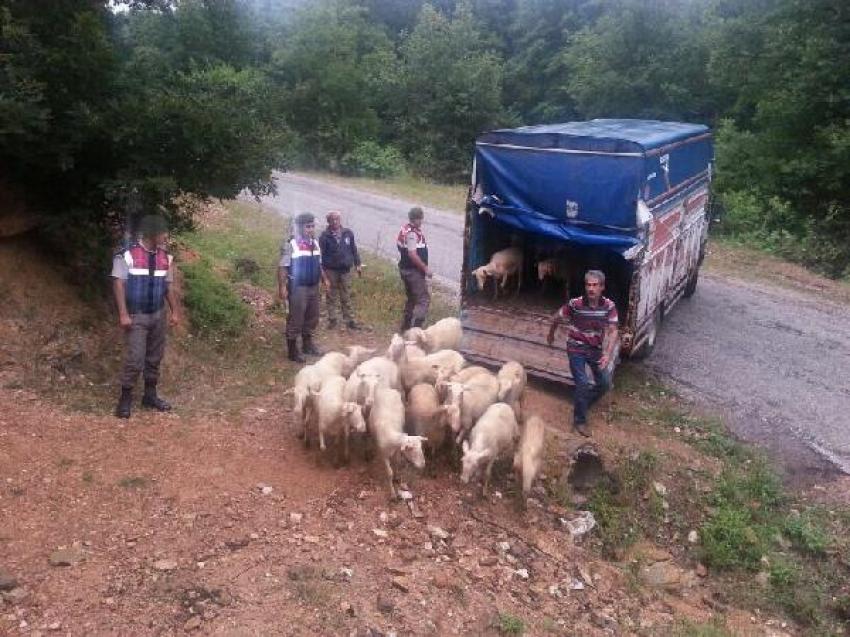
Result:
pixel 220 522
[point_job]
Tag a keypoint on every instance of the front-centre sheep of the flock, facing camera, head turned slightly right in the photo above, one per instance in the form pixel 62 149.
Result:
pixel 386 423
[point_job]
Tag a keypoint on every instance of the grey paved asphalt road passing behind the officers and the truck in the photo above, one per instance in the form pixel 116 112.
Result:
pixel 775 361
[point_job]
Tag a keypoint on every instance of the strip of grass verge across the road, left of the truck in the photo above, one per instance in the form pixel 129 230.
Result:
pixel 447 197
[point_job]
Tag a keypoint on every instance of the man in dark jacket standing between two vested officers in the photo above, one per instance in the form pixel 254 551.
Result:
pixel 339 255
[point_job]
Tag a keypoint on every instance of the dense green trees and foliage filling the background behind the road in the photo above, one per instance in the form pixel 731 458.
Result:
pixel 106 111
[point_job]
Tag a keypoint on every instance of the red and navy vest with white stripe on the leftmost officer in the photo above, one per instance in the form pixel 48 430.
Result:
pixel 147 282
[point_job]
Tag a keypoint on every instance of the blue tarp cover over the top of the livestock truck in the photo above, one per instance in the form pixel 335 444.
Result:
pixel 581 181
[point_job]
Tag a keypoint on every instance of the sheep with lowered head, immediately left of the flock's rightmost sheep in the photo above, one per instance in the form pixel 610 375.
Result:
pixel 495 433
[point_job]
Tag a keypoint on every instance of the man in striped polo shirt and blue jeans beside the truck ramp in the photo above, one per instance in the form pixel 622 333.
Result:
pixel 591 340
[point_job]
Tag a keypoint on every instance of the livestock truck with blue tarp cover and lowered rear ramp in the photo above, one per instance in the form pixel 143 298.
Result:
pixel 628 197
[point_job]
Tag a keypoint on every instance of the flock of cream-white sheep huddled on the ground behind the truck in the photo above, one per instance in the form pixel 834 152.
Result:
pixel 420 396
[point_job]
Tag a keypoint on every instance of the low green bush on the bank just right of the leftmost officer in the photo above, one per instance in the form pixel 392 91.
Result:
pixel 214 309
